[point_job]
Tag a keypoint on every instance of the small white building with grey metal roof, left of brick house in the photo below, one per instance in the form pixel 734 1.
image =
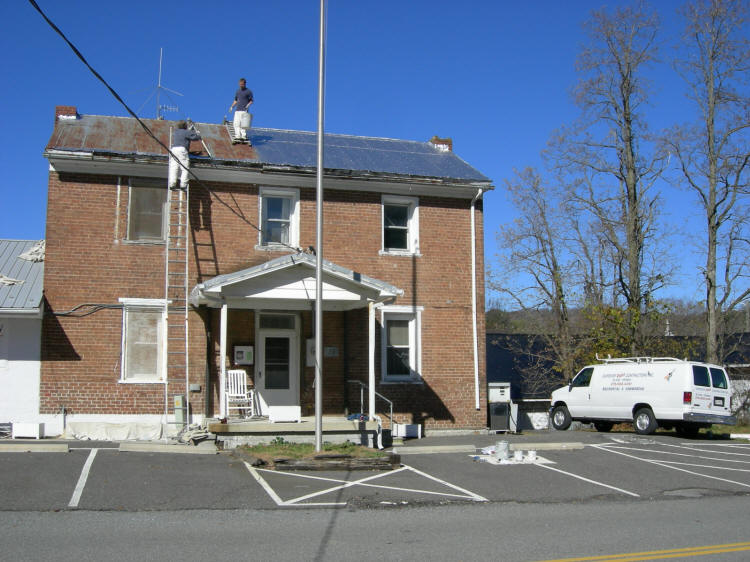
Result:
pixel 21 308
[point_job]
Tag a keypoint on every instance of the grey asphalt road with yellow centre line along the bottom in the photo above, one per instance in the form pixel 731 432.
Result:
pixel 508 532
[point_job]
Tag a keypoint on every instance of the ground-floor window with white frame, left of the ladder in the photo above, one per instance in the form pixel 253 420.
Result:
pixel 142 340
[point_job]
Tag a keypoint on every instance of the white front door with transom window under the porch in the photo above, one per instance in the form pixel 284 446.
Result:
pixel 277 367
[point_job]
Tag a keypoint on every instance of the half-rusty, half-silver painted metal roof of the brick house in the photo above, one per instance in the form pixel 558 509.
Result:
pixel 270 147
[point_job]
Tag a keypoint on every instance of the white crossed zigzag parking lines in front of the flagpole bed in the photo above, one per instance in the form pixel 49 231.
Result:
pixel 342 484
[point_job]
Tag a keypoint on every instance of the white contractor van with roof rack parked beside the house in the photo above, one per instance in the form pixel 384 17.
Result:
pixel 649 391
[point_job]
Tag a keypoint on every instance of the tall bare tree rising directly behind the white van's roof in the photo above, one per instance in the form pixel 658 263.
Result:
pixel 608 161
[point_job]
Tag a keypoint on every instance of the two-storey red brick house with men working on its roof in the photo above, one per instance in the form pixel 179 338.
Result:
pixel 403 286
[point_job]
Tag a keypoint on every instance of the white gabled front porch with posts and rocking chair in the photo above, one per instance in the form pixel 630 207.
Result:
pixel 264 318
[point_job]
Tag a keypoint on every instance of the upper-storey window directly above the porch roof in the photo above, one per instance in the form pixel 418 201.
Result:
pixel 279 217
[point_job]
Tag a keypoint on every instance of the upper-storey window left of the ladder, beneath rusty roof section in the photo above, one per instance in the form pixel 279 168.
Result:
pixel 146 211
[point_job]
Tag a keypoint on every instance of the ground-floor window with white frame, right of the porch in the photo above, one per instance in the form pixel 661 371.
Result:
pixel 400 337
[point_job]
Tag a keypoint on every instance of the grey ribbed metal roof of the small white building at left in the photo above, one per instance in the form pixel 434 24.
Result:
pixel 26 294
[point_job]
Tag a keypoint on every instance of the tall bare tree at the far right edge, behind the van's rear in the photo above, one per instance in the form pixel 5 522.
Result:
pixel 713 154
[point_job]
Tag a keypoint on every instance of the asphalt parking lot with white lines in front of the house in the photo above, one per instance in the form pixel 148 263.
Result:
pixel 618 466
